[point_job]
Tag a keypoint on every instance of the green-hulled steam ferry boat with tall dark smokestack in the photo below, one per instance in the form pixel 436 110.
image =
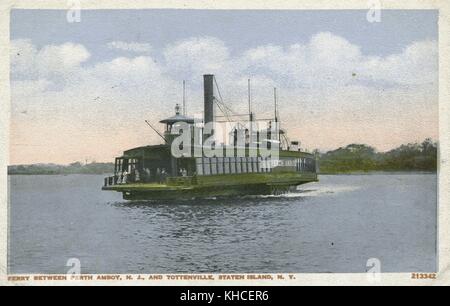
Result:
pixel 236 168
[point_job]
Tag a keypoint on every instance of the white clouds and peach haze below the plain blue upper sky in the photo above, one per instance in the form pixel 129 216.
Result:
pixel 330 93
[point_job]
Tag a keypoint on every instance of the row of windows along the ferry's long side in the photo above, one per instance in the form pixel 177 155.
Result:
pixel 232 165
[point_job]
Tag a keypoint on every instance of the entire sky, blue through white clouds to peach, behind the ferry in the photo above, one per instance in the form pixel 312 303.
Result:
pixel 81 91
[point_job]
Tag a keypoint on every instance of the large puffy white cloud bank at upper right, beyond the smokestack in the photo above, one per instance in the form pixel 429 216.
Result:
pixel 329 60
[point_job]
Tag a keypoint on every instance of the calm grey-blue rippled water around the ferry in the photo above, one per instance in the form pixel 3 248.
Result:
pixel 332 226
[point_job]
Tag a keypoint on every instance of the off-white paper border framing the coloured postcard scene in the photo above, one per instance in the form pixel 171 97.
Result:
pixel 301 279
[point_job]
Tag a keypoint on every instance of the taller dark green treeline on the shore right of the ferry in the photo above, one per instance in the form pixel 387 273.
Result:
pixel 363 158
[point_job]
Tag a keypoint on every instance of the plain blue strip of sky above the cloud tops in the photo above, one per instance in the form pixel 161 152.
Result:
pixel 240 30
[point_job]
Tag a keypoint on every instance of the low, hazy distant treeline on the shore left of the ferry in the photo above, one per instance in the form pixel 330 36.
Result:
pixel 74 168
